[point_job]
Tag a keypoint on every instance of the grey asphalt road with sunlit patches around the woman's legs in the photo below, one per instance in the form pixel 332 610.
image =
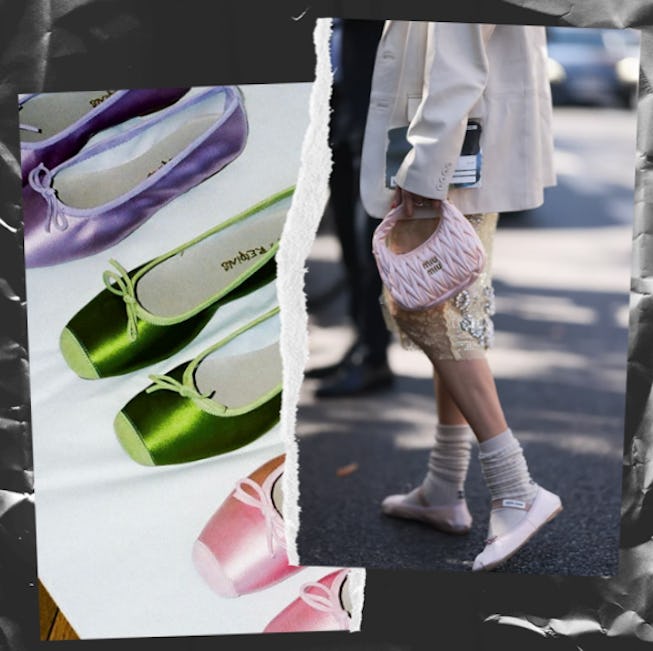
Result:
pixel 561 278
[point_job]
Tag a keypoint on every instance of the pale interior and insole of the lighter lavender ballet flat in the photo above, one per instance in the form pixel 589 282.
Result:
pixel 117 170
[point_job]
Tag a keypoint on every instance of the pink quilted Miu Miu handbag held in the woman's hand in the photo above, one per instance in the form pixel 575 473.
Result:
pixel 450 260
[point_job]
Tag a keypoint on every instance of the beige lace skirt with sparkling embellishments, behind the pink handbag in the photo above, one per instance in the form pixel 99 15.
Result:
pixel 461 327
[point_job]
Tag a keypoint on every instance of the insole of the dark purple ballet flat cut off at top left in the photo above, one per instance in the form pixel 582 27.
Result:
pixel 54 112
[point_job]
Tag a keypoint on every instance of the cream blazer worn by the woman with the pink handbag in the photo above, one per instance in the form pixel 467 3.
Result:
pixel 433 77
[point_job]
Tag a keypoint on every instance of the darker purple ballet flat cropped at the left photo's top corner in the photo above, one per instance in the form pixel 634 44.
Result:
pixel 55 126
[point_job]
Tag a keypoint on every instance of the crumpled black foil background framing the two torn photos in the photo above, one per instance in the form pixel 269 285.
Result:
pixel 49 45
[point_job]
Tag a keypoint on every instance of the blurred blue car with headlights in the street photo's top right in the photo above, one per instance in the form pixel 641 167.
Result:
pixel 593 66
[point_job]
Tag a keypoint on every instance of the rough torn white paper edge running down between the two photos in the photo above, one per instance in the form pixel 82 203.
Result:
pixel 309 201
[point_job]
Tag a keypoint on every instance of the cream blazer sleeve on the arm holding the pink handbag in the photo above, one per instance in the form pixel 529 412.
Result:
pixel 455 76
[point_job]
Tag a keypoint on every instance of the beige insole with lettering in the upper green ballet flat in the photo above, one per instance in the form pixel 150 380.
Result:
pixel 195 274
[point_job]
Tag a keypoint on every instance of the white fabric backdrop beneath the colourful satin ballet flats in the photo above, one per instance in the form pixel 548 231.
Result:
pixel 114 538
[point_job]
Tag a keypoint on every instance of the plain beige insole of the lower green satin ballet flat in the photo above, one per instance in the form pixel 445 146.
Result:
pixel 238 380
